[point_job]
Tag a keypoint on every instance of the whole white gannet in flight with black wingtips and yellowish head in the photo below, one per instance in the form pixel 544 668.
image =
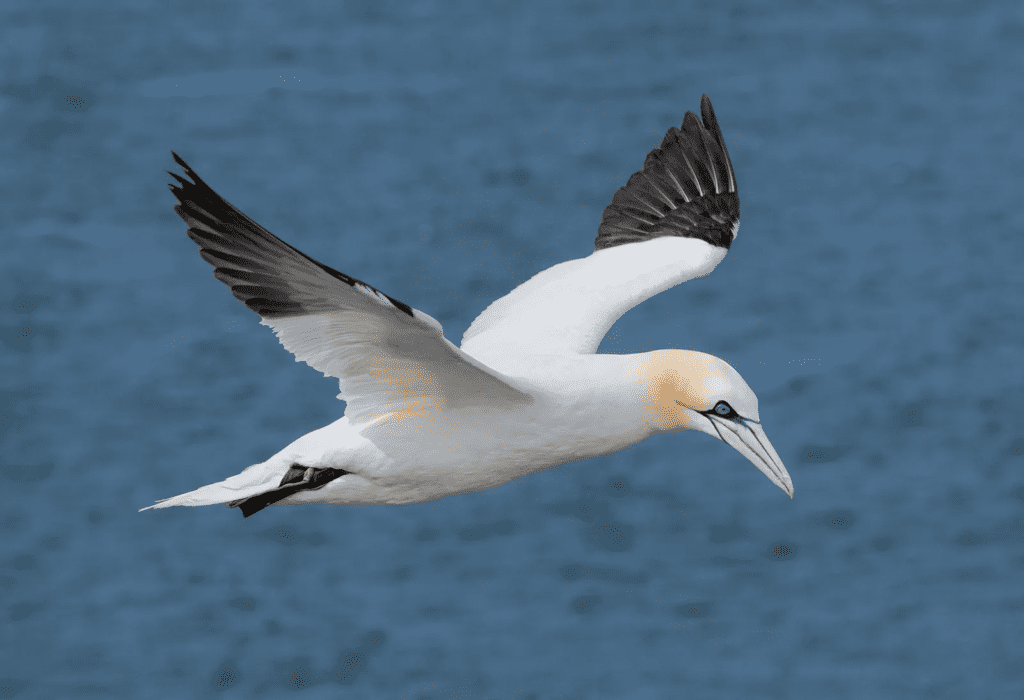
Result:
pixel 527 391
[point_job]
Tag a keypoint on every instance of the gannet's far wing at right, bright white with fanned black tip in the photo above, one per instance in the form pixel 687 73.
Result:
pixel 673 222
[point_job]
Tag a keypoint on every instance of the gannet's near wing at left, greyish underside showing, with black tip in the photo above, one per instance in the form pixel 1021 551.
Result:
pixel 387 356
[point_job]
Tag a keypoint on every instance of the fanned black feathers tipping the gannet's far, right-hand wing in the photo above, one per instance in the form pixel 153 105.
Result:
pixel 694 170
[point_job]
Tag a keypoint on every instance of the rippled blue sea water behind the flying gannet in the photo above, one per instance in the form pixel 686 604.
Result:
pixel 445 153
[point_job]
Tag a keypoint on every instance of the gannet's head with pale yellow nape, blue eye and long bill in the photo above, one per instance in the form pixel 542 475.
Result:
pixel 687 390
